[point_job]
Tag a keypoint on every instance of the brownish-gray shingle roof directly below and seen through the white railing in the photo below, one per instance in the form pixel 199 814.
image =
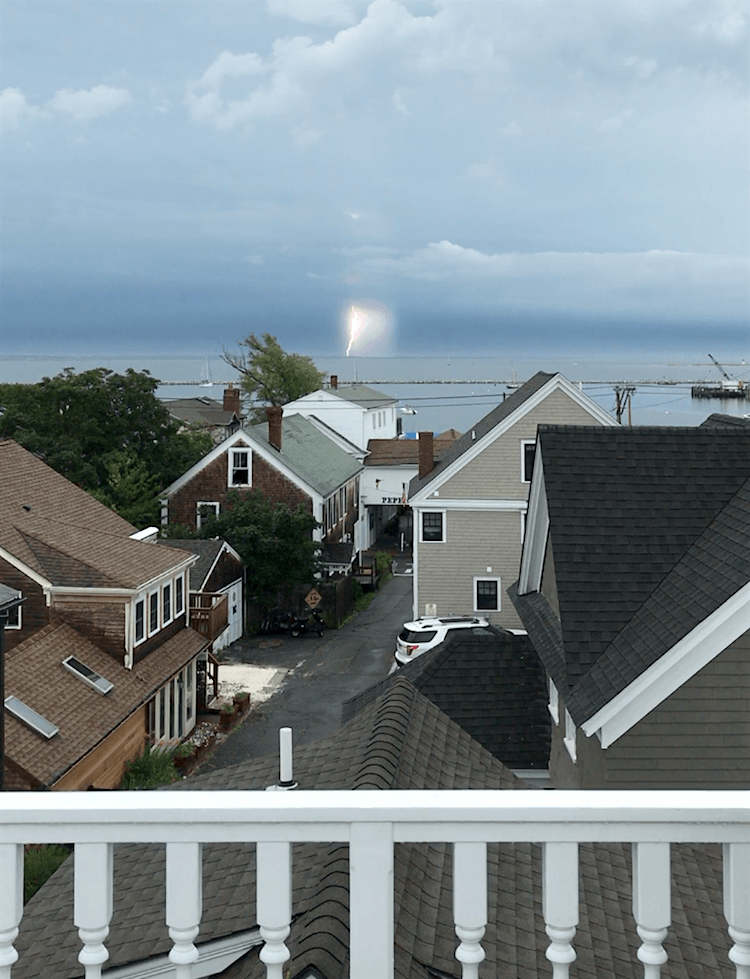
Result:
pixel 400 740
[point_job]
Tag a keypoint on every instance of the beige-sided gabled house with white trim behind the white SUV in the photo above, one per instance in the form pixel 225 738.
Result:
pixel 470 507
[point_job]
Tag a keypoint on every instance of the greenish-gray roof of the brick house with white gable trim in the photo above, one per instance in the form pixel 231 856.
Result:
pixel 310 454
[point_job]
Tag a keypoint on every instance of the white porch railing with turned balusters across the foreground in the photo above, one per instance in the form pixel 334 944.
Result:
pixel 371 822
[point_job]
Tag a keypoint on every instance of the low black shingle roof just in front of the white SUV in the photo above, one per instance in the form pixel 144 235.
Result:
pixel 491 683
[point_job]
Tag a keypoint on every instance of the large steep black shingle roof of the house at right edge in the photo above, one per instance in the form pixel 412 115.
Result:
pixel 649 530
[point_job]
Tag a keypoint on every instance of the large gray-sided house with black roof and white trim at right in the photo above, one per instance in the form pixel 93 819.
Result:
pixel 635 590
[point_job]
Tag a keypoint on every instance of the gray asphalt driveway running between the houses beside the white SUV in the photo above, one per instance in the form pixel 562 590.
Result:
pixel 321 673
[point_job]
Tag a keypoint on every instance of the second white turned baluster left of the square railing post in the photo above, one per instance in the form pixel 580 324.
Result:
pixel 184 904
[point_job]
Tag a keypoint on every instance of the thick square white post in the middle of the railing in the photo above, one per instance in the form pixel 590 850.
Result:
pixel 371 900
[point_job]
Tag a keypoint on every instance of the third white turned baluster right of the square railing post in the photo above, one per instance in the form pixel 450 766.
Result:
pixel 652 903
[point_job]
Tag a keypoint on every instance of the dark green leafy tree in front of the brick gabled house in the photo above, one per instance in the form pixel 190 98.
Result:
pixel 274 541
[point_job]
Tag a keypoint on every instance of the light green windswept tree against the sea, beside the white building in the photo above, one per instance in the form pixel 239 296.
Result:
pixel 270 375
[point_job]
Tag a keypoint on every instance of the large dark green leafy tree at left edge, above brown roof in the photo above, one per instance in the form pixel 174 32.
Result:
pixel 106 432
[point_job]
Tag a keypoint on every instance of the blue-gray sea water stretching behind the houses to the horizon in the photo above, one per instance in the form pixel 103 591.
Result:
pixel 478 383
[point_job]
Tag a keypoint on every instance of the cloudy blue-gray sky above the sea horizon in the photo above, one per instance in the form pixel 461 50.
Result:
pixel 485 174
